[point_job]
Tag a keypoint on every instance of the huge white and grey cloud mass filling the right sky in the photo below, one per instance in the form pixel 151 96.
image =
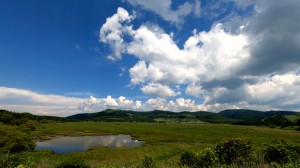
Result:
pixel 249 60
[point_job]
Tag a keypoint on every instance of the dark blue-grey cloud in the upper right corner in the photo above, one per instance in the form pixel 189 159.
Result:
pixel 275 37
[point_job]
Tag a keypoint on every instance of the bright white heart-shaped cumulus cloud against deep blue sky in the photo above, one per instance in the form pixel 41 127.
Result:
pixel 206 56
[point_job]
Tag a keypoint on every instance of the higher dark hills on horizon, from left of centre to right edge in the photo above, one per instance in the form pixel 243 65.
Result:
pixel 235 116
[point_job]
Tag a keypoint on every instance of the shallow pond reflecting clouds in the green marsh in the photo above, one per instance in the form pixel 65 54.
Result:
pixel 66 144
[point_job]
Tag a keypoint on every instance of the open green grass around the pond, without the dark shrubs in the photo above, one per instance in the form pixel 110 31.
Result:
pixel 164 141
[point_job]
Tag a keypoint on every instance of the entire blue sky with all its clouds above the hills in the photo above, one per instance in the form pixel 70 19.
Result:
pixel 62 57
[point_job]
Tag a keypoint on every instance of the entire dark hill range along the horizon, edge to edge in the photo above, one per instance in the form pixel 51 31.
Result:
pixel 235 116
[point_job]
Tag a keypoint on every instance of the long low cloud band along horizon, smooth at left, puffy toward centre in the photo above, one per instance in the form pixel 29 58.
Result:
pixel 21 100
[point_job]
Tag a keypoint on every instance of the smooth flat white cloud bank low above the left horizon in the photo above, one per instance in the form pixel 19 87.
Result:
pixel 21 100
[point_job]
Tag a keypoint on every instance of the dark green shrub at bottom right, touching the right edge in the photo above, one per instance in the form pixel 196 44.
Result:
pixel 282 152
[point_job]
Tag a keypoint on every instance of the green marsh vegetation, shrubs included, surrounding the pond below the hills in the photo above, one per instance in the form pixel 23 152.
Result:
pixel 170 144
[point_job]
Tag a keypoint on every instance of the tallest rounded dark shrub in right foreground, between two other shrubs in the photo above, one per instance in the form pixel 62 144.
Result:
pixel 232 150
